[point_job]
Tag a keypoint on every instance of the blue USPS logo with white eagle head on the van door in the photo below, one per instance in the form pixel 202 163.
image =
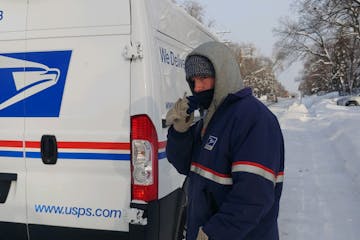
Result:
pixel 32 83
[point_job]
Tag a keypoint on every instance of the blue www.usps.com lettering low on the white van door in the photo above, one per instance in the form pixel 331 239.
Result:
pixel 77 211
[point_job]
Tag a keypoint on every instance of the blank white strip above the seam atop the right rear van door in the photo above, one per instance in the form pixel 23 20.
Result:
pixel 71 14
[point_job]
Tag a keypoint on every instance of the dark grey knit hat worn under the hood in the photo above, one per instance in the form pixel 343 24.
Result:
pixel 198 66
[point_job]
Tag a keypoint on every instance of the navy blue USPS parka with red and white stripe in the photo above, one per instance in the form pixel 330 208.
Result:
pixel 234 161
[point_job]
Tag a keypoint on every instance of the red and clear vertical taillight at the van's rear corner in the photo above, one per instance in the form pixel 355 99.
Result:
pixel 144 159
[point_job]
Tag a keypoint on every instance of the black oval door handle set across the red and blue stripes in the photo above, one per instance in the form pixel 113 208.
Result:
pixel 49 149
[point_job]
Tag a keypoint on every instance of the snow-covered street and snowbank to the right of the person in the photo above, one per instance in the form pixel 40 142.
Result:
pixel 321 195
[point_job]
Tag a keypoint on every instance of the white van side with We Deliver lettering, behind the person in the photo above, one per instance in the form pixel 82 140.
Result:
pixel 173 35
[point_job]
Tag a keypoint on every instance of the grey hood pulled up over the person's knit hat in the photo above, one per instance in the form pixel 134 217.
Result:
pixel 227 73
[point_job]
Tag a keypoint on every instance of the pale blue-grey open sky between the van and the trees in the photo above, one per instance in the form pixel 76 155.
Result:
pixel 252 21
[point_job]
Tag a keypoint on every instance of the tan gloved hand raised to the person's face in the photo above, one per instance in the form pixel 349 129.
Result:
pixel 178 116
